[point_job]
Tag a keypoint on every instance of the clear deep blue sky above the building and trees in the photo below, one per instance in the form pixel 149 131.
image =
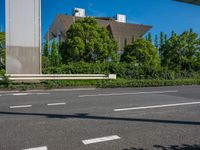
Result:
pixel 163 15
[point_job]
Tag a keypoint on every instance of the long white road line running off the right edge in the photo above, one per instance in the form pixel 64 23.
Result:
pixel 157 106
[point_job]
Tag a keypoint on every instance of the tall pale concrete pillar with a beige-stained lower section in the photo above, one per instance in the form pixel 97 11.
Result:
pixel 23 36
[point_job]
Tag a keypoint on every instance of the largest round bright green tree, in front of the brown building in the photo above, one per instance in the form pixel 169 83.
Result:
pixel 89 42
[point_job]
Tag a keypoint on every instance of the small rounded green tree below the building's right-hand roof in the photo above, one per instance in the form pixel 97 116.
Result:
pixel 141 52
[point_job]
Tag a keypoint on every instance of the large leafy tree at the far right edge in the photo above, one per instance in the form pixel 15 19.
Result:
pixel 181 52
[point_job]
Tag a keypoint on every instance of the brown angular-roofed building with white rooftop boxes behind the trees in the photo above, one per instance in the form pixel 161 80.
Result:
pixel 118 28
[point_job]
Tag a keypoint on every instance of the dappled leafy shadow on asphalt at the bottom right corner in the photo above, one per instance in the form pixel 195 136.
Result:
pixel 171 147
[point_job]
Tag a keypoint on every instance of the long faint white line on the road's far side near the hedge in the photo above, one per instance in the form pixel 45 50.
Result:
pixel 135 93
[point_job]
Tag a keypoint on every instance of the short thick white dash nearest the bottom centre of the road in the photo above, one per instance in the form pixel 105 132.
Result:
pixel 102 139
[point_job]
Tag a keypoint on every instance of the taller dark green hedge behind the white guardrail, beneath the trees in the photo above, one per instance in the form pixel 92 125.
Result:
pixel 123 70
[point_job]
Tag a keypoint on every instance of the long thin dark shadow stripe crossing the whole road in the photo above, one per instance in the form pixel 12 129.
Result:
pixel 92 117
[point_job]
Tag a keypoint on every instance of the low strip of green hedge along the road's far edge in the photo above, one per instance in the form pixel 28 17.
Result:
pixel 119 83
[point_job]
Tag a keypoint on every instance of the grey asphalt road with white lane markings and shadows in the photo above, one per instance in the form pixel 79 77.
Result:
pixel 161 118
